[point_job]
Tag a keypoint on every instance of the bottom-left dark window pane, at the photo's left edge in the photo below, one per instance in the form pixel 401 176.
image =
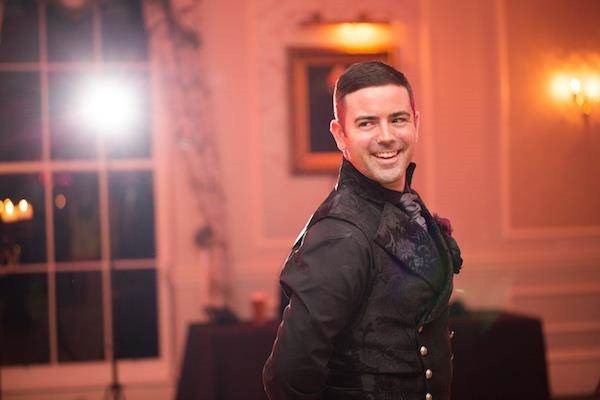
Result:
pixel 24 319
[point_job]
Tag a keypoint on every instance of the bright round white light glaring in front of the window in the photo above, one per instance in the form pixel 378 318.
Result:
pixel 108 106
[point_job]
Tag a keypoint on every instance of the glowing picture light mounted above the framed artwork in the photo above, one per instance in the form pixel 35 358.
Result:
pixel 362 35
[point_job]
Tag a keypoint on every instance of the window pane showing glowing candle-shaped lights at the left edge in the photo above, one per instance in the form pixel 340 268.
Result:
pixel 22 231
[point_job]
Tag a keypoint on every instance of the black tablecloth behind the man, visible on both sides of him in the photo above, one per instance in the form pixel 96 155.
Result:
pixel 497 356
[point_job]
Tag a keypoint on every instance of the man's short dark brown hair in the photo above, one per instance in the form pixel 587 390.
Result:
pixel 367 74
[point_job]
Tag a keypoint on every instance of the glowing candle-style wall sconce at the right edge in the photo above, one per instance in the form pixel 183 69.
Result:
pixel 582 91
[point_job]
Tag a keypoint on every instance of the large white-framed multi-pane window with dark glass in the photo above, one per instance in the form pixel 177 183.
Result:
pixel 78 279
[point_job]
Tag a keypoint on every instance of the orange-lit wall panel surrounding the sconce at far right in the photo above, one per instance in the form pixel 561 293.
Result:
pixel 551 154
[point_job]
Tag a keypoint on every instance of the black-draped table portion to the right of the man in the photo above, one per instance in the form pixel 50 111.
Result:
pixel 498 355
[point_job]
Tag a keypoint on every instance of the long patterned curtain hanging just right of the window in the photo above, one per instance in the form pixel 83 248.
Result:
pixel 175 44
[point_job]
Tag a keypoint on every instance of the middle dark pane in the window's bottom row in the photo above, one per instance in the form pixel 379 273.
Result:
pixel 79 316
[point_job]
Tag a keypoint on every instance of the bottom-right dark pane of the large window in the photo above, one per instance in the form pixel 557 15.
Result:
pixel 135 326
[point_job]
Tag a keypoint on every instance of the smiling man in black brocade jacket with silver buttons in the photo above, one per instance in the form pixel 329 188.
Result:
pixel 370 276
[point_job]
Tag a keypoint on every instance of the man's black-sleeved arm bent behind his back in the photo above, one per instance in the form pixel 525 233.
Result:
pixel 325 279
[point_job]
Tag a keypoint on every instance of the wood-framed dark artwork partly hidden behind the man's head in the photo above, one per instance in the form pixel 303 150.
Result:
pixel 312 77
